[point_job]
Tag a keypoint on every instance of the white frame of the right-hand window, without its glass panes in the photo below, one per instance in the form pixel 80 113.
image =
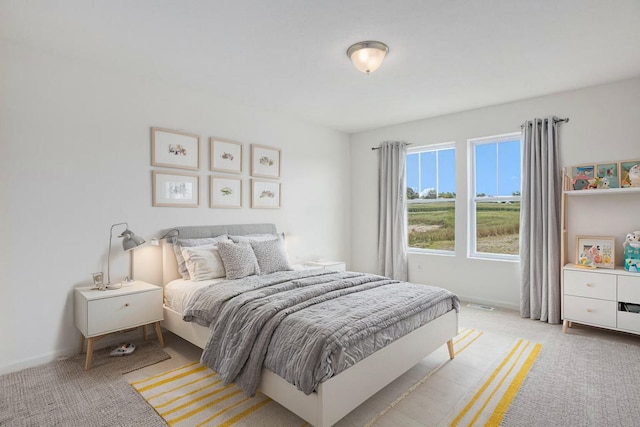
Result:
pixel 473 199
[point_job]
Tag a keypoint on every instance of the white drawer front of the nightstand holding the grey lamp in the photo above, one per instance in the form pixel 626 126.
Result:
pixel 124 311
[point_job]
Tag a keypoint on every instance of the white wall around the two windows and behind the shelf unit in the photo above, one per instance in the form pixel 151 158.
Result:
pixel 602 127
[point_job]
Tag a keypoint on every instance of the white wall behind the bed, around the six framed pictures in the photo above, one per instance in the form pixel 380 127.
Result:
pixel 76 159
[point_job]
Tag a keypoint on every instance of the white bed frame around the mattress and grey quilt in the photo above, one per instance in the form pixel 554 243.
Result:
pixel 338 395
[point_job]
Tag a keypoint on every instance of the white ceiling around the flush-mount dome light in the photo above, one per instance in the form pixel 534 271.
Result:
pixel 289 55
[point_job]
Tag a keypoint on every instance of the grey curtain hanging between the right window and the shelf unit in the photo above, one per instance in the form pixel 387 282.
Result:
pixel 540 221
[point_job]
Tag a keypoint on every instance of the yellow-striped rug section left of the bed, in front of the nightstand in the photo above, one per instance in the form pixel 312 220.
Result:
pixel 193 395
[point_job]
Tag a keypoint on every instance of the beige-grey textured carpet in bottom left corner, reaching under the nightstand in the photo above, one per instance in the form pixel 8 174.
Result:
pixel 62 393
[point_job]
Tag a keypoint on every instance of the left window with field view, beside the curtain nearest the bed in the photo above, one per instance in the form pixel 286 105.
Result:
pixel 431 196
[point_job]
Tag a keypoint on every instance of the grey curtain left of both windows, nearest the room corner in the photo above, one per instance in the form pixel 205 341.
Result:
pixel 392 212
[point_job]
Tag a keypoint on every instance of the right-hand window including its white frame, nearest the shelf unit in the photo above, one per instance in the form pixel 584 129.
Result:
pixel 495 190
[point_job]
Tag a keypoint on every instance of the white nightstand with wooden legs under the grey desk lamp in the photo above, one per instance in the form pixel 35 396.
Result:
pixel 98 313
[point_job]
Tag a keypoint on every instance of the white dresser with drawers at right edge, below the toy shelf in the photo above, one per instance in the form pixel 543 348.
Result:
pixel 598 298
